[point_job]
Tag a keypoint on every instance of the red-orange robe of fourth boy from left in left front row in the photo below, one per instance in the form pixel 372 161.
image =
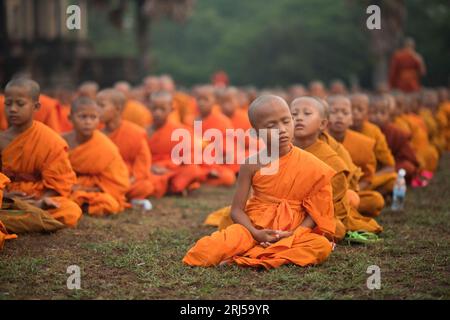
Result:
pixel 182 176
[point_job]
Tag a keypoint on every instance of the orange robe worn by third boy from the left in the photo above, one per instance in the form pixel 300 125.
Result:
pixel 132 143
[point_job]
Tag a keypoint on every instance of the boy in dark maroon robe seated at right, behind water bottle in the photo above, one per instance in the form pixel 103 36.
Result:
pixel 397 139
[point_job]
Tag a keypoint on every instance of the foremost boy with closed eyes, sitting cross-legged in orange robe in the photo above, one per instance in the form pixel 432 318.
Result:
pixel 291 211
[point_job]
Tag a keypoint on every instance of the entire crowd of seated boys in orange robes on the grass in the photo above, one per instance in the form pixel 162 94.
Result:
pixel 338 158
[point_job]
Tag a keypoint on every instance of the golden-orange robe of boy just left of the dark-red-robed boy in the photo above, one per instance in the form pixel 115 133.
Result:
pixel 383 183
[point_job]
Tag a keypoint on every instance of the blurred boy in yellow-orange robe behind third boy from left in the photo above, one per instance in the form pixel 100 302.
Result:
pixel 134 111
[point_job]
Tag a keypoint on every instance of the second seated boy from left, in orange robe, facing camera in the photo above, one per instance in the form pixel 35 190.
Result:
pixel 102 175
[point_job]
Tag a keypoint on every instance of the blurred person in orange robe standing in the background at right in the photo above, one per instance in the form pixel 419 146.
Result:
pixel 406 68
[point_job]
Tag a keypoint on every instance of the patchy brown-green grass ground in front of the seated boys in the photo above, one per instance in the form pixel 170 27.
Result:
pixel 138 256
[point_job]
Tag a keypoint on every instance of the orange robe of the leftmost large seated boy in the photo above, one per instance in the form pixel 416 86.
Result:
pixel 37 160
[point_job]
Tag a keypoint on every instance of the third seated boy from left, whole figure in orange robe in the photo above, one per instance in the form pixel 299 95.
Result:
pixel 131 140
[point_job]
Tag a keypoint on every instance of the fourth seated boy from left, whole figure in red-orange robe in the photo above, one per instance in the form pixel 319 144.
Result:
pixel 182 177
